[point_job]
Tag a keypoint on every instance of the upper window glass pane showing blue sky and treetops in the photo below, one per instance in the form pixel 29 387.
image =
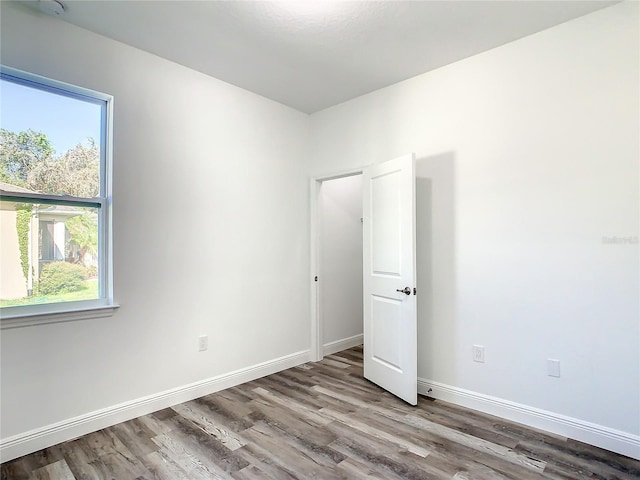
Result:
pixel 49 142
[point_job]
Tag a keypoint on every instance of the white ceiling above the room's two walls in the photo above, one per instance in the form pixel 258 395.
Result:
pixel 311 55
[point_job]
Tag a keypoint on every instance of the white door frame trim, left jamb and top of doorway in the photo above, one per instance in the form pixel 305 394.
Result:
pixel 315 182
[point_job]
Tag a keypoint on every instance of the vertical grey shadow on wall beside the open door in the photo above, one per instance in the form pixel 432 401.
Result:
pixel 436 266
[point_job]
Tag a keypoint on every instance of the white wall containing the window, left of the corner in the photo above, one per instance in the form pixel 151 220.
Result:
pixel 210 221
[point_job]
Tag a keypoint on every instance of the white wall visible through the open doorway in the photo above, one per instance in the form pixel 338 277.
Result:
pixel 340 232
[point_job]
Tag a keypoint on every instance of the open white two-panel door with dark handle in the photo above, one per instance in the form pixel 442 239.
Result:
pixel 390 317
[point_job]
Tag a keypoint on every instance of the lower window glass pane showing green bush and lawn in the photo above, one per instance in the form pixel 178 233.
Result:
pixel 48 253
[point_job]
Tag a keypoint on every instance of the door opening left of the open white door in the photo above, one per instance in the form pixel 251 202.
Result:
pixel 337 323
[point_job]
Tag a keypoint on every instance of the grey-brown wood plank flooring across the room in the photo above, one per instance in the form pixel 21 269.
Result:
pixel 319 421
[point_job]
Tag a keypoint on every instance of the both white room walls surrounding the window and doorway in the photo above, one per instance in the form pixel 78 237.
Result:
pixel 527 157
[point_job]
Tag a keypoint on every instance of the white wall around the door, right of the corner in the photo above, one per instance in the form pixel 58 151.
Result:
pixel 528 156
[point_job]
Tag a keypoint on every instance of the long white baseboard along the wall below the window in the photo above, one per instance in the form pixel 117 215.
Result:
pixel 34 440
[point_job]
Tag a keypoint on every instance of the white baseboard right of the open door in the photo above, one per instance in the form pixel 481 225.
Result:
pixel 593 434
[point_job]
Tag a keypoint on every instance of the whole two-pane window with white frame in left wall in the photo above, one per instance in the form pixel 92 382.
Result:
pixel 54 200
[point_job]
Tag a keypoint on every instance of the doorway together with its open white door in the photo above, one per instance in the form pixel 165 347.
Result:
pixel 385 245
